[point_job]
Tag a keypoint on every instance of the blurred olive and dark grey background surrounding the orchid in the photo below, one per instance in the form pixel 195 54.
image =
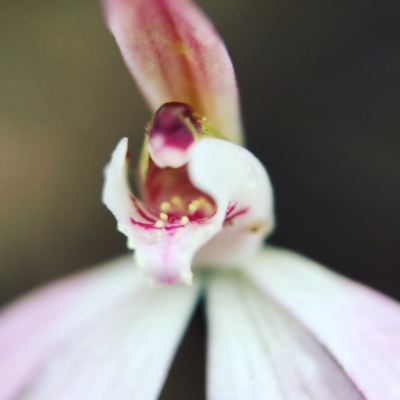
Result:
pixel 320 89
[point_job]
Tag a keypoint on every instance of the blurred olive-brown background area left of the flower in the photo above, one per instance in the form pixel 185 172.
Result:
pixel 66 99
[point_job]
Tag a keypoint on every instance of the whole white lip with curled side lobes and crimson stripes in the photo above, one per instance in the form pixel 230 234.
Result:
pixel 229 174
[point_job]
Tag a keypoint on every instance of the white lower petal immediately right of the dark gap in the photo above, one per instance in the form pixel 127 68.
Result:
pixel 257 351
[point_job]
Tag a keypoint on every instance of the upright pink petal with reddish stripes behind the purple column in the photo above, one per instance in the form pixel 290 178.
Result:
pixel 175 54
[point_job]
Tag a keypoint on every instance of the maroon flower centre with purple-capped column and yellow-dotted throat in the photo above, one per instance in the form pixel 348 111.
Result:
pixel 165 183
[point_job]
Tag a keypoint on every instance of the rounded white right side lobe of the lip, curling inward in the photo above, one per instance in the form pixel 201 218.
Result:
pixel 231 175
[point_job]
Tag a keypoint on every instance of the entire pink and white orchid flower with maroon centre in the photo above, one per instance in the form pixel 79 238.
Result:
pixel 280 326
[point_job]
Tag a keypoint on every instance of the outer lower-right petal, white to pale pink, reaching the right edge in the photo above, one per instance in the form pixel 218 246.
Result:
pixel 358 325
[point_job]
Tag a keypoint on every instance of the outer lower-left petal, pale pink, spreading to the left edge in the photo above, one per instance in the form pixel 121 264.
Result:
pixel 31 328
